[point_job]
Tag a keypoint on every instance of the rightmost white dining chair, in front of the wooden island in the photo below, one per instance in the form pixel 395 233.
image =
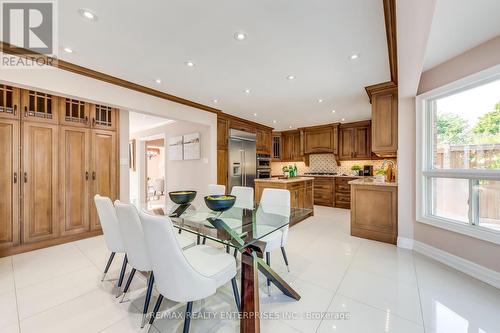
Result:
pixel 274 210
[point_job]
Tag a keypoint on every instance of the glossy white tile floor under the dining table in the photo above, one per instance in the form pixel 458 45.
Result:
pixel 379 287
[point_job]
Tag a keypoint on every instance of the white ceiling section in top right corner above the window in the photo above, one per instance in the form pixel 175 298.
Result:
pixel 459 25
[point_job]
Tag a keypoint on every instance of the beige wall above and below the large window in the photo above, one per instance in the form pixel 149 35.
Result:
pixel 479 58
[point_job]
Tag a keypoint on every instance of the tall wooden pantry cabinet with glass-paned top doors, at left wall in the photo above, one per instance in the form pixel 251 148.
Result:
pixel 59 152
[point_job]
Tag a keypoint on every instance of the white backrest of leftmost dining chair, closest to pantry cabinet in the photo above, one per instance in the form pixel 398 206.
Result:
pixel 109 223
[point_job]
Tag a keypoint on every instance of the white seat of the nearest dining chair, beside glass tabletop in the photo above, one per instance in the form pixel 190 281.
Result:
pixel 212 263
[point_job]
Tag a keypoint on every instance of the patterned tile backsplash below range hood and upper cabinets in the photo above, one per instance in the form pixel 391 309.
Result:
pixel 324 163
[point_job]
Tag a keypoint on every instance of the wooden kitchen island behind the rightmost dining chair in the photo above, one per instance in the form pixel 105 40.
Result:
pixel 301 194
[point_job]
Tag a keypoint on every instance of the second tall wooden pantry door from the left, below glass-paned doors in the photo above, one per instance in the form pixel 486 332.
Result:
pixel 40 204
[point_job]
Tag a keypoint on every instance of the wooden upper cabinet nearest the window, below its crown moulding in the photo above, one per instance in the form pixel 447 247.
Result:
pixel 385 124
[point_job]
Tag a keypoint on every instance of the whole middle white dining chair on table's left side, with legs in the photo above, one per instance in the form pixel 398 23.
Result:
pixel 135 246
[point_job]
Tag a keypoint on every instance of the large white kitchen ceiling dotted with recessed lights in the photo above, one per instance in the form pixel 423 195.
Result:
pixel 312 40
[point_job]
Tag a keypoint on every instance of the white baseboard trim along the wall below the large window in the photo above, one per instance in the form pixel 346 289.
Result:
pixel 479 272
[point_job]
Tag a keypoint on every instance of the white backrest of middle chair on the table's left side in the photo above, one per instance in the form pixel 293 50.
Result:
pixel 133 236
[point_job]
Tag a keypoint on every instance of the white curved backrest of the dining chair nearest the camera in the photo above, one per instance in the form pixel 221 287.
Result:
pixel 175 278
